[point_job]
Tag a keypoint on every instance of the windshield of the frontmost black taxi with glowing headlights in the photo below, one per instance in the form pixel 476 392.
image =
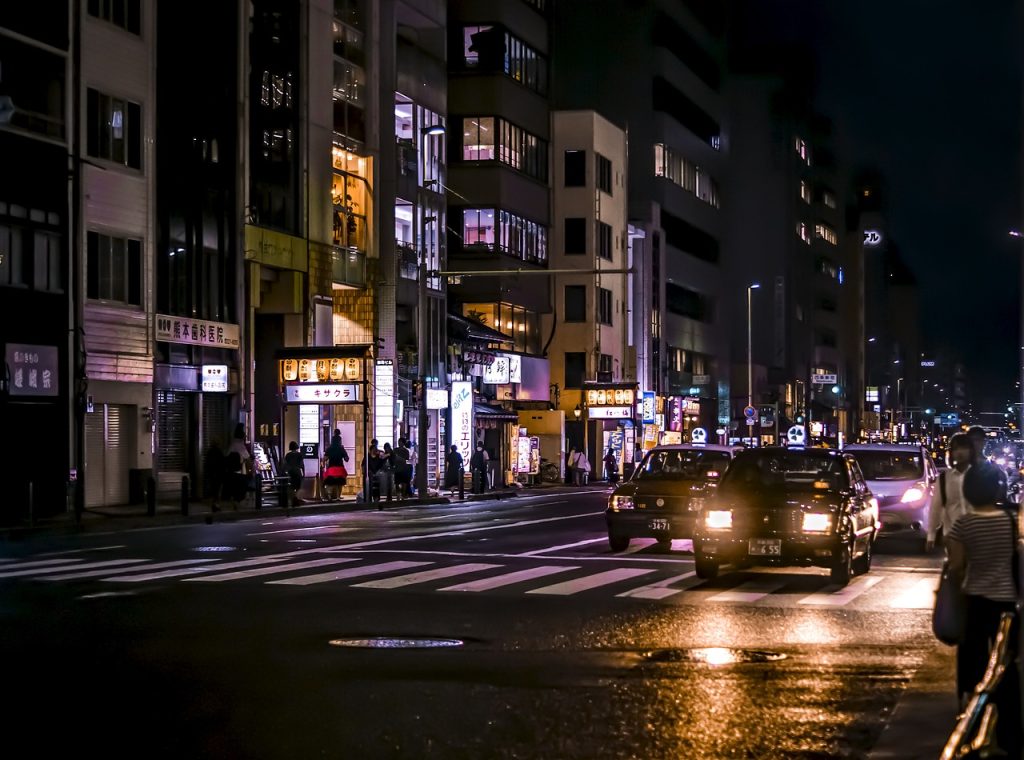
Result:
pixel 785 469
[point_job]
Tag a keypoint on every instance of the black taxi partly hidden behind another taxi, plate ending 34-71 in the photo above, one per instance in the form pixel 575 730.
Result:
pixel 666 493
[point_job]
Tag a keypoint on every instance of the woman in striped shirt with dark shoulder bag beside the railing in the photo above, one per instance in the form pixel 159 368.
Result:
pixel 982 555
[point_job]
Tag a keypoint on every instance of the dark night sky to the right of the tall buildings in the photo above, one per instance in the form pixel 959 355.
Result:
pixel 930 93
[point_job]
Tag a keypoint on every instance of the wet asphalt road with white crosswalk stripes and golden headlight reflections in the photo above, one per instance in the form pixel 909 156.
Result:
pixel 216 642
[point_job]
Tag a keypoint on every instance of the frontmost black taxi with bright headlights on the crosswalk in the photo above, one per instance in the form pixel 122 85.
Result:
pixel 792 506
